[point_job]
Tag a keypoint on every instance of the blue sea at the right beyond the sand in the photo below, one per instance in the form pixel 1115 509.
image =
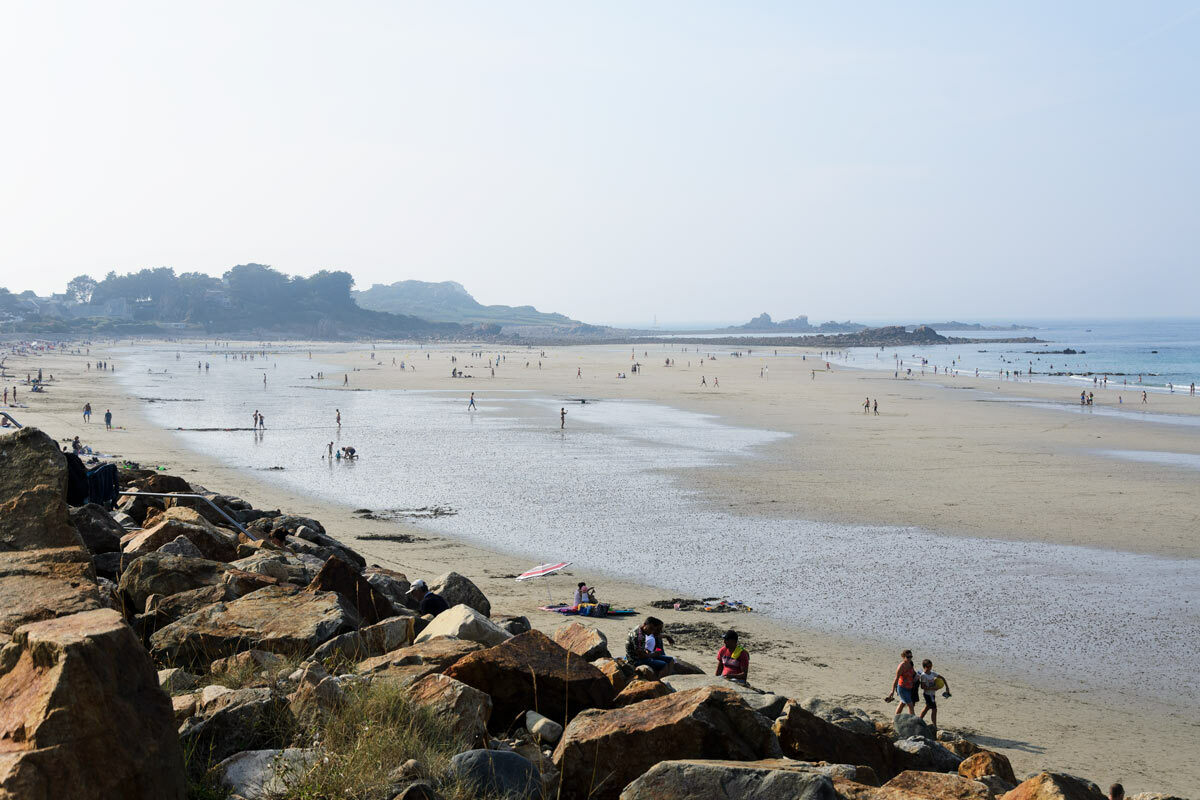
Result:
pixel 1157 352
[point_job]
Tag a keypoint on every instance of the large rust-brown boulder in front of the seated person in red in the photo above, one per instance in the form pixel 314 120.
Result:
pixel 603 751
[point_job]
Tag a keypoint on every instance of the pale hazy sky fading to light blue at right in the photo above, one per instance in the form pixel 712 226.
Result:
pixel 615 161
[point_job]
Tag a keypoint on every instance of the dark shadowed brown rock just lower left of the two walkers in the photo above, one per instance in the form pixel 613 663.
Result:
pixel 806 737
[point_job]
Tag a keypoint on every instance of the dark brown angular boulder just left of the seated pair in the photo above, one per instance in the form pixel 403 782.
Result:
pixel 531 672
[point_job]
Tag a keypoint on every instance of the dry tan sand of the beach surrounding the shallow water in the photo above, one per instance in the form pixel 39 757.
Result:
pixel 958 456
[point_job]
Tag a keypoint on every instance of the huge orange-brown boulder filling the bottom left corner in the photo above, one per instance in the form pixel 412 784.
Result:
pixel 82 715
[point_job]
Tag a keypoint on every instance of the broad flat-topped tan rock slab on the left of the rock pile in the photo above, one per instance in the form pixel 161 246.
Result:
pixel 278 619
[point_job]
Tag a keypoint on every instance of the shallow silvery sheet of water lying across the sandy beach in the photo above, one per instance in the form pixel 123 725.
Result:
pixel 611 495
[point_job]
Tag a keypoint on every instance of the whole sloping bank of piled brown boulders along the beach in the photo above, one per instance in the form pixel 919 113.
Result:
pixel 158 652
